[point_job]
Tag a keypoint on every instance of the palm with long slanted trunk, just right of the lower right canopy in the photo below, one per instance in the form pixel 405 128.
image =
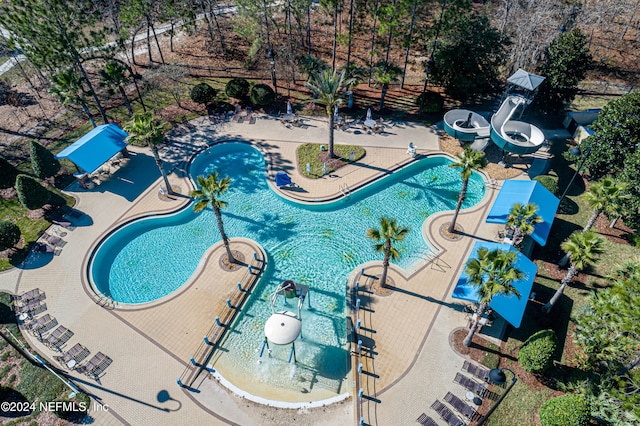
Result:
pixel 583 248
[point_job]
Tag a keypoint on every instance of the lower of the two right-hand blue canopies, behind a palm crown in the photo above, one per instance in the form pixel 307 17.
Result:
pixel 509 307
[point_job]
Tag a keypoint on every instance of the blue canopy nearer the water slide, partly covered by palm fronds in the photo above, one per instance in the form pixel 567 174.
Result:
pixel 526 191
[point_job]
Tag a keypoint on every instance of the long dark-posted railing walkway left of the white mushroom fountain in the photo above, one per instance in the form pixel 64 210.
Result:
pixel 198 361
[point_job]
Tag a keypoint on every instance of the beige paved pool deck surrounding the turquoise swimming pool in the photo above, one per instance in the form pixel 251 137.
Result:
pixel 408 330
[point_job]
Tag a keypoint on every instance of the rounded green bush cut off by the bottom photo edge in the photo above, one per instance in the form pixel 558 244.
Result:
pixel 566 410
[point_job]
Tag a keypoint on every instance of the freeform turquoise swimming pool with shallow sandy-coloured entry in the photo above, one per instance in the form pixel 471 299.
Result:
pixel 315 245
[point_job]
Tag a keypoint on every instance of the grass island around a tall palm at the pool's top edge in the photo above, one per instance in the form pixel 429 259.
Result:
pixel 311 154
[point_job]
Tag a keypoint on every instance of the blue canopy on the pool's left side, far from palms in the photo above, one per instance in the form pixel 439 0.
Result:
pixel 96 147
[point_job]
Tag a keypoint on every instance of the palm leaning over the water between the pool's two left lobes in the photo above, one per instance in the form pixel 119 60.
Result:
pixel 211 188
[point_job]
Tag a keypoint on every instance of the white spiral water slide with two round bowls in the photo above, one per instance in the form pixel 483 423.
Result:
pixel 514 136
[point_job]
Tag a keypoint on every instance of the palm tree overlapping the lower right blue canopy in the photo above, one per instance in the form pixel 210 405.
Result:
pixel 492 272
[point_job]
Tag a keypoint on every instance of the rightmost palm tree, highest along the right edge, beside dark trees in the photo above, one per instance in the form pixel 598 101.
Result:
pixel 605 196
